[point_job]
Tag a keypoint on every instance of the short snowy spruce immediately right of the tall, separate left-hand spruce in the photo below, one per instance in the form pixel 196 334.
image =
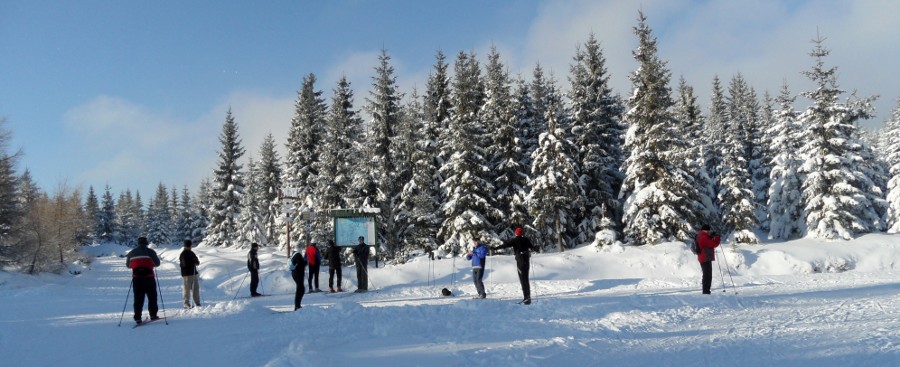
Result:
pixel 250 226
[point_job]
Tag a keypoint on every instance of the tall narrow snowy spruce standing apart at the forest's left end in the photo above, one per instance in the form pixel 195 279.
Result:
pixel 228 189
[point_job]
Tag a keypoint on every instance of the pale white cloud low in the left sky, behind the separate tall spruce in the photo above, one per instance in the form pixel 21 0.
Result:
pixel 127 145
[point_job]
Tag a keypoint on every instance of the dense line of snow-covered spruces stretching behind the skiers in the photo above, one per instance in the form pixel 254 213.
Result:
pixel 478 153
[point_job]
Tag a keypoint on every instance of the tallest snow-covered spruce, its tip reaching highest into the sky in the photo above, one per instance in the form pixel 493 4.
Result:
pixel 661 201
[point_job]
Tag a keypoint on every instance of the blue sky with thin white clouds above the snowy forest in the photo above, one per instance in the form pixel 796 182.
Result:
pixel 131 93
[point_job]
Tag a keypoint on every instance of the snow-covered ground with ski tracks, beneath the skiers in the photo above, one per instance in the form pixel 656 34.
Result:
pixel 799 303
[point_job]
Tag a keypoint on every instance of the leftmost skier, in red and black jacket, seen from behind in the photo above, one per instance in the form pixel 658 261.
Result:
pixel 141 260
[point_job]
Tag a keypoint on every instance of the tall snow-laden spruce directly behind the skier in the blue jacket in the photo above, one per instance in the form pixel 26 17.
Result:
pixel 469 203
